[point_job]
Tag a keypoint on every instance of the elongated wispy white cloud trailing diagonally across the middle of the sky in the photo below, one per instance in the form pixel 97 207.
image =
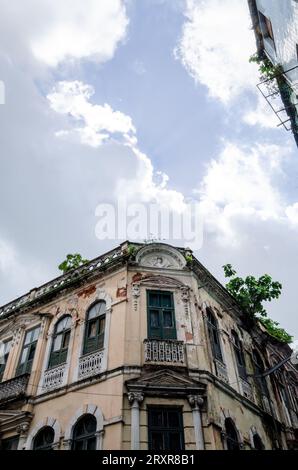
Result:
pixel 100 124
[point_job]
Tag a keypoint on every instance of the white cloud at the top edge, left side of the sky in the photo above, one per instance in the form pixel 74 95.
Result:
pixel 74 30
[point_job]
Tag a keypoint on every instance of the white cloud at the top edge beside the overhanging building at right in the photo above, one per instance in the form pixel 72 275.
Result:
pixel 216 44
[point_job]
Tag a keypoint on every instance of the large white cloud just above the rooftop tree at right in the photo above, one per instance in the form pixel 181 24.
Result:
pixel 242 184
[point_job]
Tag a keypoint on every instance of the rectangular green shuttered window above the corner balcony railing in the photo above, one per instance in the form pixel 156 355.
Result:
pixel 161 315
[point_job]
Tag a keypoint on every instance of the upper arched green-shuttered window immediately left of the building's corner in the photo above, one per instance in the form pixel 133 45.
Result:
pixel 95 327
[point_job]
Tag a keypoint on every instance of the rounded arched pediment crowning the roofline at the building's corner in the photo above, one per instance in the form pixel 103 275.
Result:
pixel 160 256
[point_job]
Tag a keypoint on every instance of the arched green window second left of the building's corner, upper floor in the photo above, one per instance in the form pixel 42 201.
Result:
pixel 60 342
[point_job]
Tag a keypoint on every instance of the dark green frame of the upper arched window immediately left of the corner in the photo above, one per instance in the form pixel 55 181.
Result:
pixel 98 340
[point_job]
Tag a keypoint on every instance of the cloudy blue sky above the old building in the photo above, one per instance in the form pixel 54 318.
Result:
pixel 154 100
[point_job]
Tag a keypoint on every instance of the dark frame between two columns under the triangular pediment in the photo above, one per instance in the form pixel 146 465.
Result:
pixel 165 430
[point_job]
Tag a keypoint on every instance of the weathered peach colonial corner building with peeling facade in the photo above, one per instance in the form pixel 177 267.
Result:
pixel 141 348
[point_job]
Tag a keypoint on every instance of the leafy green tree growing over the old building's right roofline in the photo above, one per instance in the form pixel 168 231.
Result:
pixel 250 293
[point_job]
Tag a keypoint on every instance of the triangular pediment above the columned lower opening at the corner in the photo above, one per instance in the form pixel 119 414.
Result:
pixel 165 382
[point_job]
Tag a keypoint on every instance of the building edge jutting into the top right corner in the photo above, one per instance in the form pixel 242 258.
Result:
pixel 275 23
